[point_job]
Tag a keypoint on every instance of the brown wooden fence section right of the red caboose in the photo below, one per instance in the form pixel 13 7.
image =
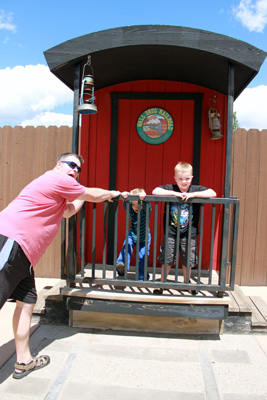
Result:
pixel 249 184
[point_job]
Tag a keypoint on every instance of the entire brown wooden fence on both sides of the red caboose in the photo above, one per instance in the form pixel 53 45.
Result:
pixel 26 153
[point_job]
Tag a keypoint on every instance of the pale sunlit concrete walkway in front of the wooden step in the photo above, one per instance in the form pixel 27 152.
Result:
pixel 123 365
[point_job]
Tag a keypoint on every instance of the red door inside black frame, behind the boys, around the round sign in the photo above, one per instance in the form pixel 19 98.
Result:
pixel 140 164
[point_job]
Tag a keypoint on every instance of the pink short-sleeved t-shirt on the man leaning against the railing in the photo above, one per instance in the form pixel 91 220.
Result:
pixel 33 218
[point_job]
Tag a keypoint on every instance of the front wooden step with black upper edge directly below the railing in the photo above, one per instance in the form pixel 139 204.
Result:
pixel 133 308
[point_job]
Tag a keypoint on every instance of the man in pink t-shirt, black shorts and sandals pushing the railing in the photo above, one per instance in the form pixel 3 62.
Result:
pixel 27 227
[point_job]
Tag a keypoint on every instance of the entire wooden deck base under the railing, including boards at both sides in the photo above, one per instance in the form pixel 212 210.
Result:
pixel 133 308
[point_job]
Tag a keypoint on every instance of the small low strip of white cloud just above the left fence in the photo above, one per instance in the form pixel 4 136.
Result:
pixel 49 119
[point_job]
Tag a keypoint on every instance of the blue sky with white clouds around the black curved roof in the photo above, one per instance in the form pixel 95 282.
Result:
pixel 31 95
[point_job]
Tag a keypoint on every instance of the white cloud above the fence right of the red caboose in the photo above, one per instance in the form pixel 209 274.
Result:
pixel 250 108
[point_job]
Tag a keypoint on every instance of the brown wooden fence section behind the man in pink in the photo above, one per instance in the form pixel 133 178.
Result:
pixel 25 154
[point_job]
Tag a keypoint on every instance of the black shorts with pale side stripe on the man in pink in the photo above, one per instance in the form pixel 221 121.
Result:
pixel 16 273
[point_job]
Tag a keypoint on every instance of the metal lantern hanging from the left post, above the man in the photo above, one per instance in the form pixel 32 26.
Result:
pixel 87 97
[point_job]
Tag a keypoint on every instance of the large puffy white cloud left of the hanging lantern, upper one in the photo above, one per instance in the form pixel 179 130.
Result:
pixel 30 92
